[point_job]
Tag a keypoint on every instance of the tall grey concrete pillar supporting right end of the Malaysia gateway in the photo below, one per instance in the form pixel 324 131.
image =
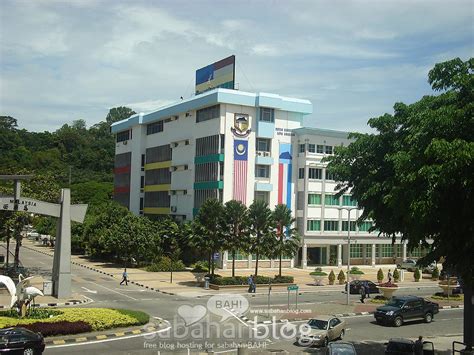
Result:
pixel 62 249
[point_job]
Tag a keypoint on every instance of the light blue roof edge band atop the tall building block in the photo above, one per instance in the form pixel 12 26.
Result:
pixel 214 97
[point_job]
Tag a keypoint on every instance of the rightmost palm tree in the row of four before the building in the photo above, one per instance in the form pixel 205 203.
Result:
pixel 288 238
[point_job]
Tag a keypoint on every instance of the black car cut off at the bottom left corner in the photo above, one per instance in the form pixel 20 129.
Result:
pixel 20 341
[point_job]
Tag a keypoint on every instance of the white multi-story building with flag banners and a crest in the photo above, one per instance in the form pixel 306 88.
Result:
pixel 230 144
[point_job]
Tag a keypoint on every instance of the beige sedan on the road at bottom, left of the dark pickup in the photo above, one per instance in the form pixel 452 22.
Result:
pixel 320 331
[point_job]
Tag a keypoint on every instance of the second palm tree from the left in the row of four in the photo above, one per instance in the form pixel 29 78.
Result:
pixel 235 225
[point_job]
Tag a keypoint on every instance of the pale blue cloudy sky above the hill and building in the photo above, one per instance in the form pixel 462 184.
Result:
pixel 67 60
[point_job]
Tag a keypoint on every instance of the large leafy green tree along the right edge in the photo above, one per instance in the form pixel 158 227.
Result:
pixel 415 176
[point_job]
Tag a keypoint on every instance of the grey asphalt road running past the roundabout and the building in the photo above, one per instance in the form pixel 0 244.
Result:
pixel 106 292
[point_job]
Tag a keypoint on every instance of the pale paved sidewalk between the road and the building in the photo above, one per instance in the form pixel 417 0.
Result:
pixel 184 283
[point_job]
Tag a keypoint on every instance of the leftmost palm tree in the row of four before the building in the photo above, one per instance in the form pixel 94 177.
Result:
pixel 207 233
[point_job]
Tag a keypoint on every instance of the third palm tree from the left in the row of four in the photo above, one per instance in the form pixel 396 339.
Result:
pixel 261 229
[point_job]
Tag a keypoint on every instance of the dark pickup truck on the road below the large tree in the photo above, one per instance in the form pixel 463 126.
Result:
pixel 406 308
